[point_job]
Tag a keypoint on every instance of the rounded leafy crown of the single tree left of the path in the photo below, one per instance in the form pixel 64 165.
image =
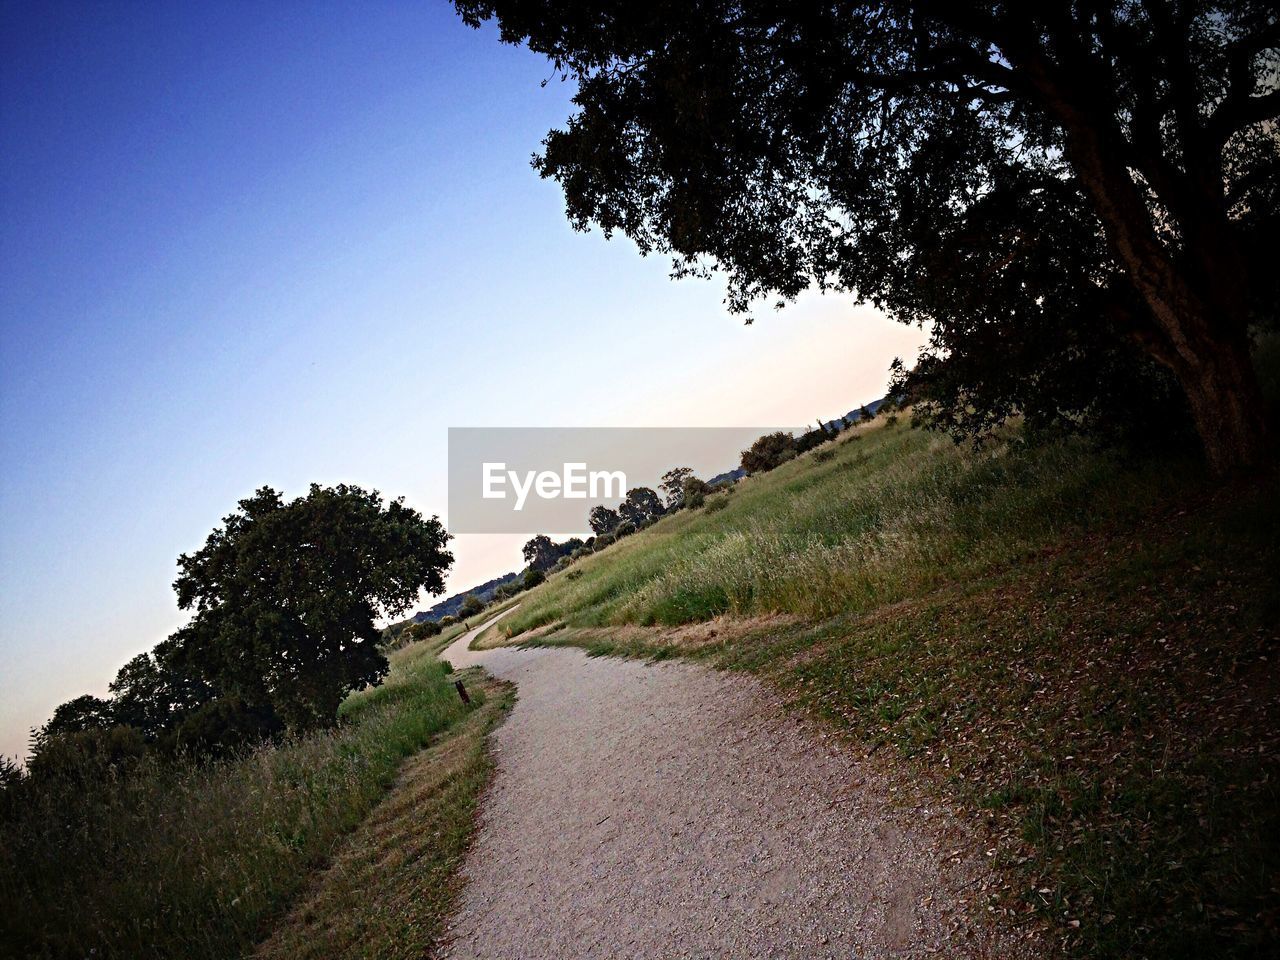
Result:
pixel 286 596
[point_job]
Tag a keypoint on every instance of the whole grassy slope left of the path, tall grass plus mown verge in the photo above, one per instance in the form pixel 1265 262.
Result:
pixel 199 861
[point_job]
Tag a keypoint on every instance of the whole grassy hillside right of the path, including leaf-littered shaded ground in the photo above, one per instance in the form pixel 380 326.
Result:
pixel 1077 650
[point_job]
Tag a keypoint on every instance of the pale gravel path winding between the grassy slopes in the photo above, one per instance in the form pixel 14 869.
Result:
pixel 674 812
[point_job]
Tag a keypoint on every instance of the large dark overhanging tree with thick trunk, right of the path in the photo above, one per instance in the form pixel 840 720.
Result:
pixel 1112 167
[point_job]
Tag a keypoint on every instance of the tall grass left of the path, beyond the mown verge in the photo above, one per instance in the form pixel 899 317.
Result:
pixel 193 861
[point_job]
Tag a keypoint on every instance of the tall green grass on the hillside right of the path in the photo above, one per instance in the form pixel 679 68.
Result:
pixel 895 511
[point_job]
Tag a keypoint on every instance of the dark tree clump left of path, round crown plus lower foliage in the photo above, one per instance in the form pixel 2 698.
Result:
pixel 285 597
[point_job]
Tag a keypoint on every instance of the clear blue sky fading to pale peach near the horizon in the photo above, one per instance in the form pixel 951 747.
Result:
pixel 280 244
